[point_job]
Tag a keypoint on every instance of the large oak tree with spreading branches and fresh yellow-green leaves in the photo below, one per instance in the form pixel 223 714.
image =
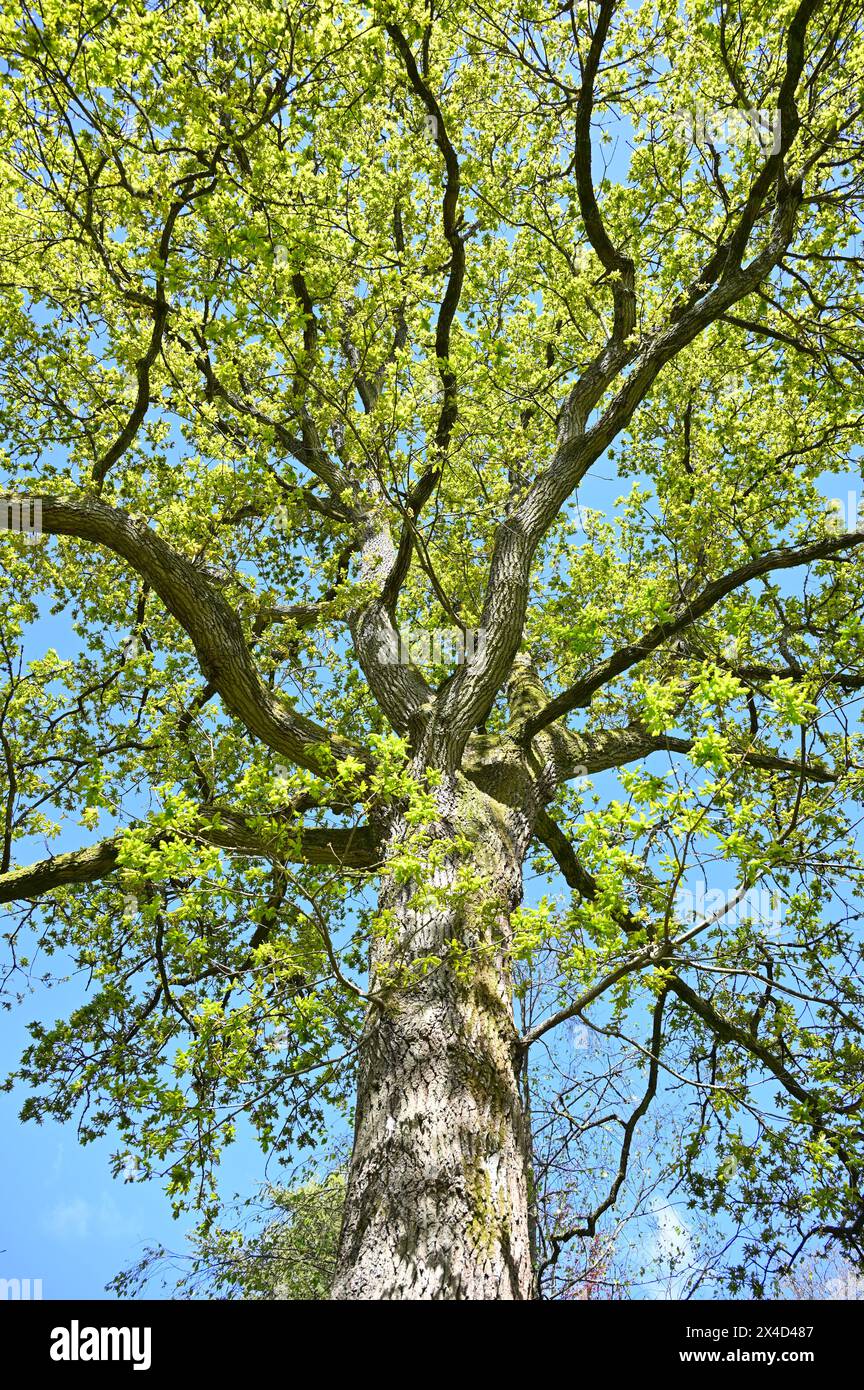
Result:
pixel 320 325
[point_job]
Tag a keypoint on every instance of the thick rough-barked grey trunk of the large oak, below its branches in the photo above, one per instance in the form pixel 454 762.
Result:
pixel 438 1188
